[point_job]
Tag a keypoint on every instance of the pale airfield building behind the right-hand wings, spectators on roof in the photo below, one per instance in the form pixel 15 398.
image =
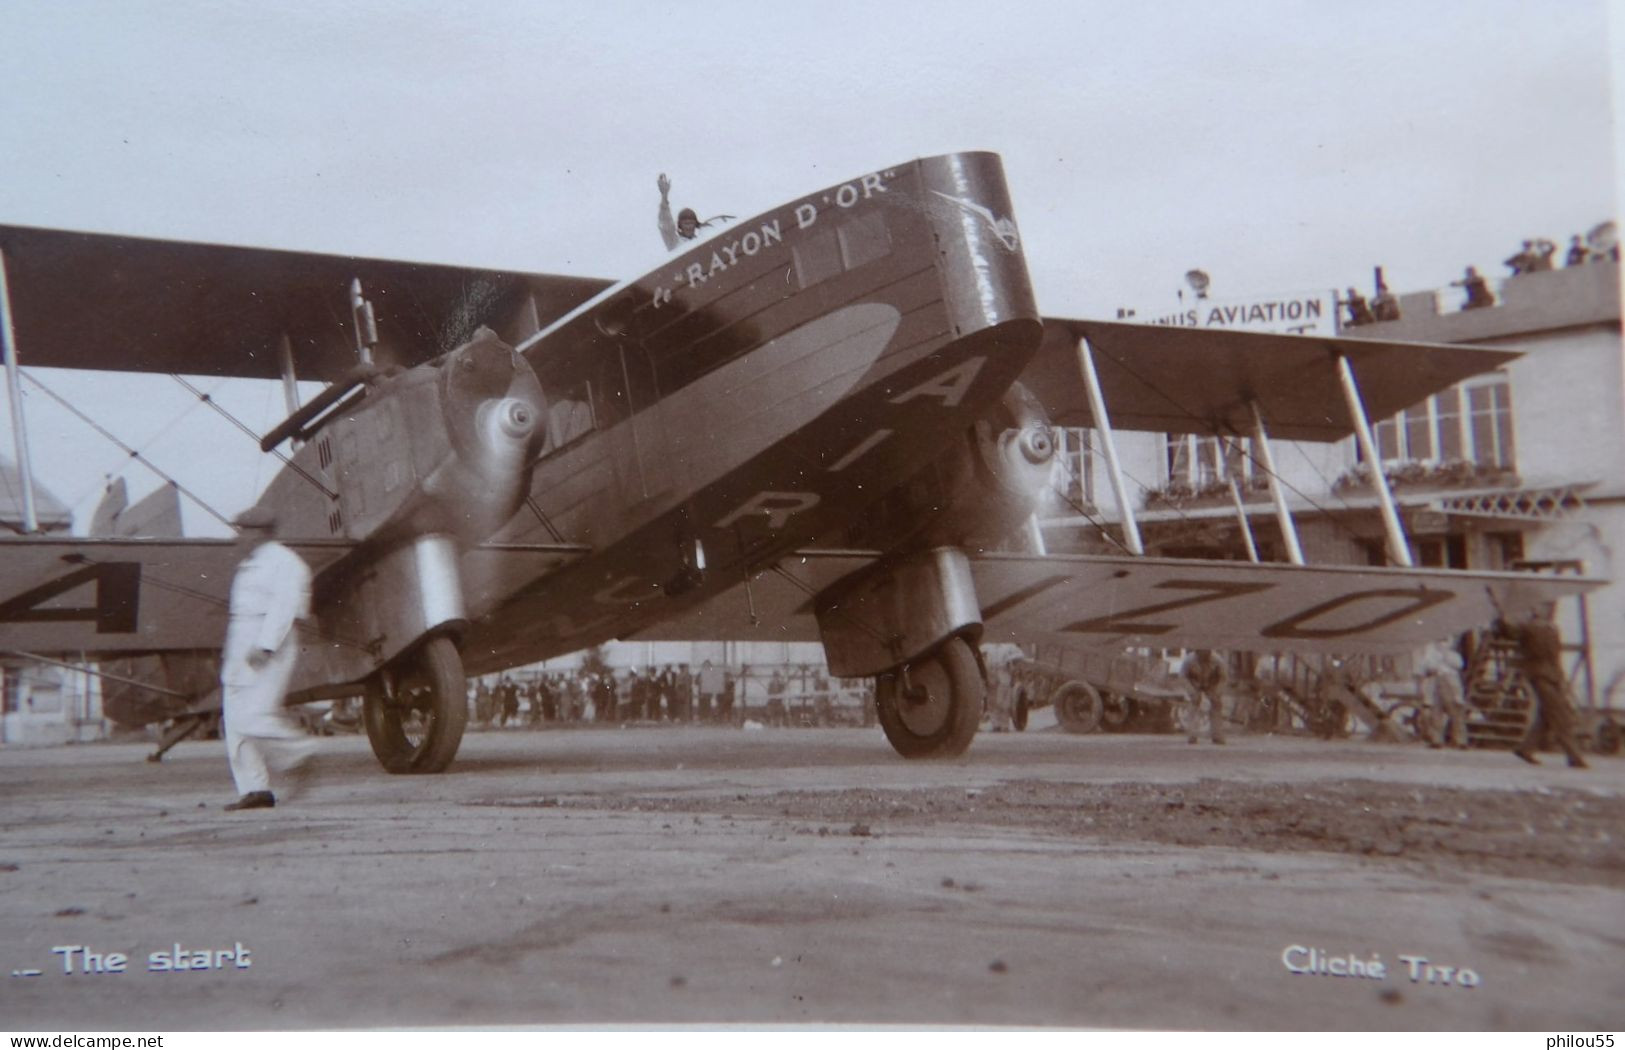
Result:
pixel 1523 467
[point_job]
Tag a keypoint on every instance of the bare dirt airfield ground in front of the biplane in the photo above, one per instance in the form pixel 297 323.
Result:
pixel 810 877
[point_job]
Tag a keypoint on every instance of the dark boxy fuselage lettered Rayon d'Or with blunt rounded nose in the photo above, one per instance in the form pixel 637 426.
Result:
pixel 760 391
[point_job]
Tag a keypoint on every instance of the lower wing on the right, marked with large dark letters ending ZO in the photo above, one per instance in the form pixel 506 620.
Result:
pixel 1177 604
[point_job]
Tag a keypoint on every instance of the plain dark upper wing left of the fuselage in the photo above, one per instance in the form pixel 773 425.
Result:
pixel 95 302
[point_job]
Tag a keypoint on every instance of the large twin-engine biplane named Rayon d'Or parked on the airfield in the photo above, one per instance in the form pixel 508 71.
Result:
pixel 830 422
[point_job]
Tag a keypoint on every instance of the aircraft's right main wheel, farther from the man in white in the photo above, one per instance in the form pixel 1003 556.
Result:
pixel 940 711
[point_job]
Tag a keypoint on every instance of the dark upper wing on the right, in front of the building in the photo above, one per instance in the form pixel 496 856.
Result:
pixel 1202 381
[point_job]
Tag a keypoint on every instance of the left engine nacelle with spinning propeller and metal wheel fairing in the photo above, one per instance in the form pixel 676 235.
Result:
pixel 418 467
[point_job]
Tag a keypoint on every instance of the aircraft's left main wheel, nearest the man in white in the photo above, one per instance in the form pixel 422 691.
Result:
pixel 418 726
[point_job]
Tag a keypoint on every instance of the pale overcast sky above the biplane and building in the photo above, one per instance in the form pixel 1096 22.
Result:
pixel 1281 147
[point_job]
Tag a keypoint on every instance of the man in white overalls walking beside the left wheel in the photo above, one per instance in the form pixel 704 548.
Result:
pixel 271 592
